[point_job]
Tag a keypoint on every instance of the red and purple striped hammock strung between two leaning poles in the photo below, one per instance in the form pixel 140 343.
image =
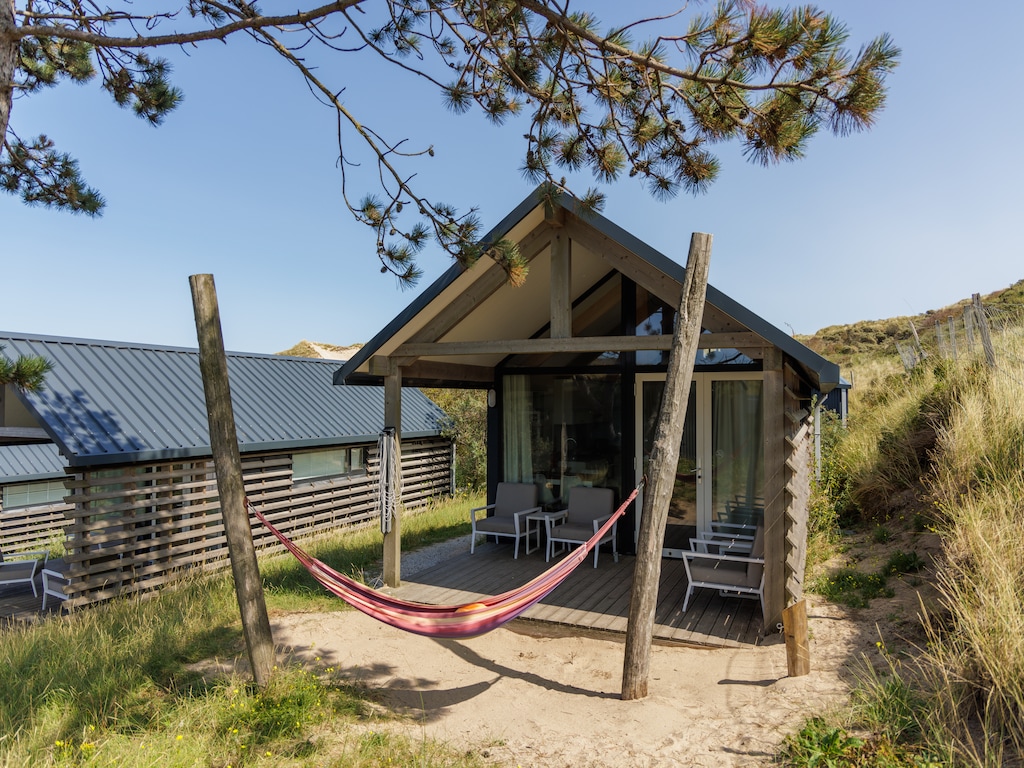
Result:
pixel 445 621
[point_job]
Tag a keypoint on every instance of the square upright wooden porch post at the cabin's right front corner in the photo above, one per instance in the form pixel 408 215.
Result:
pixel 773 394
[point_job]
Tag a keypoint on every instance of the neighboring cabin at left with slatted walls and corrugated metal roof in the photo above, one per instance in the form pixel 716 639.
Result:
pixel 122 463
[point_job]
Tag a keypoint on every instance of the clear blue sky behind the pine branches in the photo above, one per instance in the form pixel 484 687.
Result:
pixel 241 182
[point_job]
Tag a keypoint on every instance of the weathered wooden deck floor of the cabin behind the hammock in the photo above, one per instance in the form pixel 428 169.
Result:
pixel 590 599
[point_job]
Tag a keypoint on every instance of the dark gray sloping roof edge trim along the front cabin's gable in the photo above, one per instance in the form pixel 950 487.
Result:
pixel 823 374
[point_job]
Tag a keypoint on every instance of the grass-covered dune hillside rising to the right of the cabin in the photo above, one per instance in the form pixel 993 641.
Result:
pixel 936 450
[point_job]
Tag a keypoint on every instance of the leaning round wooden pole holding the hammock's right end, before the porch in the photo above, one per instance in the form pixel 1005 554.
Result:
pixel 664 461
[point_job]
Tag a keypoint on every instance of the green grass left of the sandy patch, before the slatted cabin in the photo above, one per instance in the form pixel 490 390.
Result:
pixel 138 682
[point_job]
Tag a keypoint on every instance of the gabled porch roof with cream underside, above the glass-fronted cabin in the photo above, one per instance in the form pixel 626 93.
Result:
pixel 478 304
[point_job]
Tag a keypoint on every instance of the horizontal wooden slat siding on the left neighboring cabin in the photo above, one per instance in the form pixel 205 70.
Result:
pixel 135 529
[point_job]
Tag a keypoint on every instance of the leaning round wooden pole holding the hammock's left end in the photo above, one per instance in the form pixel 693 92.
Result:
pixel 228 464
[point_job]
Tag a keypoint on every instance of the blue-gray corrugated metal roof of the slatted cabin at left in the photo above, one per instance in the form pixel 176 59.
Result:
pixel 111 403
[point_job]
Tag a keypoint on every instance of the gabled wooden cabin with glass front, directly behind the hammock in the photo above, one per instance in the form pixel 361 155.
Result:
pixel 575 362
